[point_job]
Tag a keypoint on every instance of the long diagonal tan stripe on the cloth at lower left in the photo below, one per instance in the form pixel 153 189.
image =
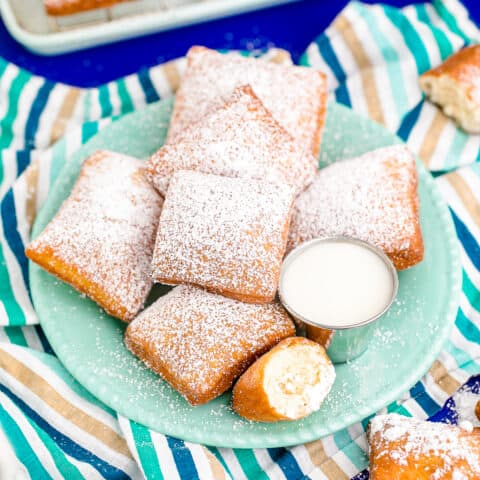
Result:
pixel 51 397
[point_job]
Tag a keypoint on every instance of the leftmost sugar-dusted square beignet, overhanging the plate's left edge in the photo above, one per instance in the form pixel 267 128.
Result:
pixel 101 240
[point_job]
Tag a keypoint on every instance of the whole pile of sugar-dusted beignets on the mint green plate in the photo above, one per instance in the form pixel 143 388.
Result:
pixel 213 213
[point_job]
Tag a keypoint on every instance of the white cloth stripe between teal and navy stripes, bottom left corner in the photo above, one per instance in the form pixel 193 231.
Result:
pixel 37 445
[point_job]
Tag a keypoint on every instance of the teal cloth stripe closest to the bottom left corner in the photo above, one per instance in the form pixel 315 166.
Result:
pixel 22 448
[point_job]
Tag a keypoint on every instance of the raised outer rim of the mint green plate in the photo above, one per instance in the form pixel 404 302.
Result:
pixel 284 438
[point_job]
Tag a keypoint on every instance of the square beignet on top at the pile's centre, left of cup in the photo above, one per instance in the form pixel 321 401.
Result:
pixel 225 234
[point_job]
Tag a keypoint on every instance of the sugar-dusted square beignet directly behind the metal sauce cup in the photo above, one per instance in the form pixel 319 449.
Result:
pixel 372 198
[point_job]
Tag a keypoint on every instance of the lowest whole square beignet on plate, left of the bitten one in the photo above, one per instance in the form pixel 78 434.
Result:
pixel 199 342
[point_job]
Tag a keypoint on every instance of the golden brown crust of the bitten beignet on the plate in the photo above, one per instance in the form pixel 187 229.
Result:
pixel 250 398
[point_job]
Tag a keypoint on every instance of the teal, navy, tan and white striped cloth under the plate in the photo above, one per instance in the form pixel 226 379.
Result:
pixel 50 426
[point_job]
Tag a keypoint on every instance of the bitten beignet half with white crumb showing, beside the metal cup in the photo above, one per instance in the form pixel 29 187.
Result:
pixel 287 383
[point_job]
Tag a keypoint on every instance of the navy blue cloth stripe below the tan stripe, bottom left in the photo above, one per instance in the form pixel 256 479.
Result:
pixel 65 443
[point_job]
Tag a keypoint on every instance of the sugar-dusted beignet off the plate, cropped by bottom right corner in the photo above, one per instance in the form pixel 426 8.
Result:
pixel 403 448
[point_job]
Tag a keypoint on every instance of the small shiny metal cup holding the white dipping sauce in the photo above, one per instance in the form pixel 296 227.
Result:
pixel 349 341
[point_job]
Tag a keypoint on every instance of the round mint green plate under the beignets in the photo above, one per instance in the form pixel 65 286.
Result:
pixel 407 341
